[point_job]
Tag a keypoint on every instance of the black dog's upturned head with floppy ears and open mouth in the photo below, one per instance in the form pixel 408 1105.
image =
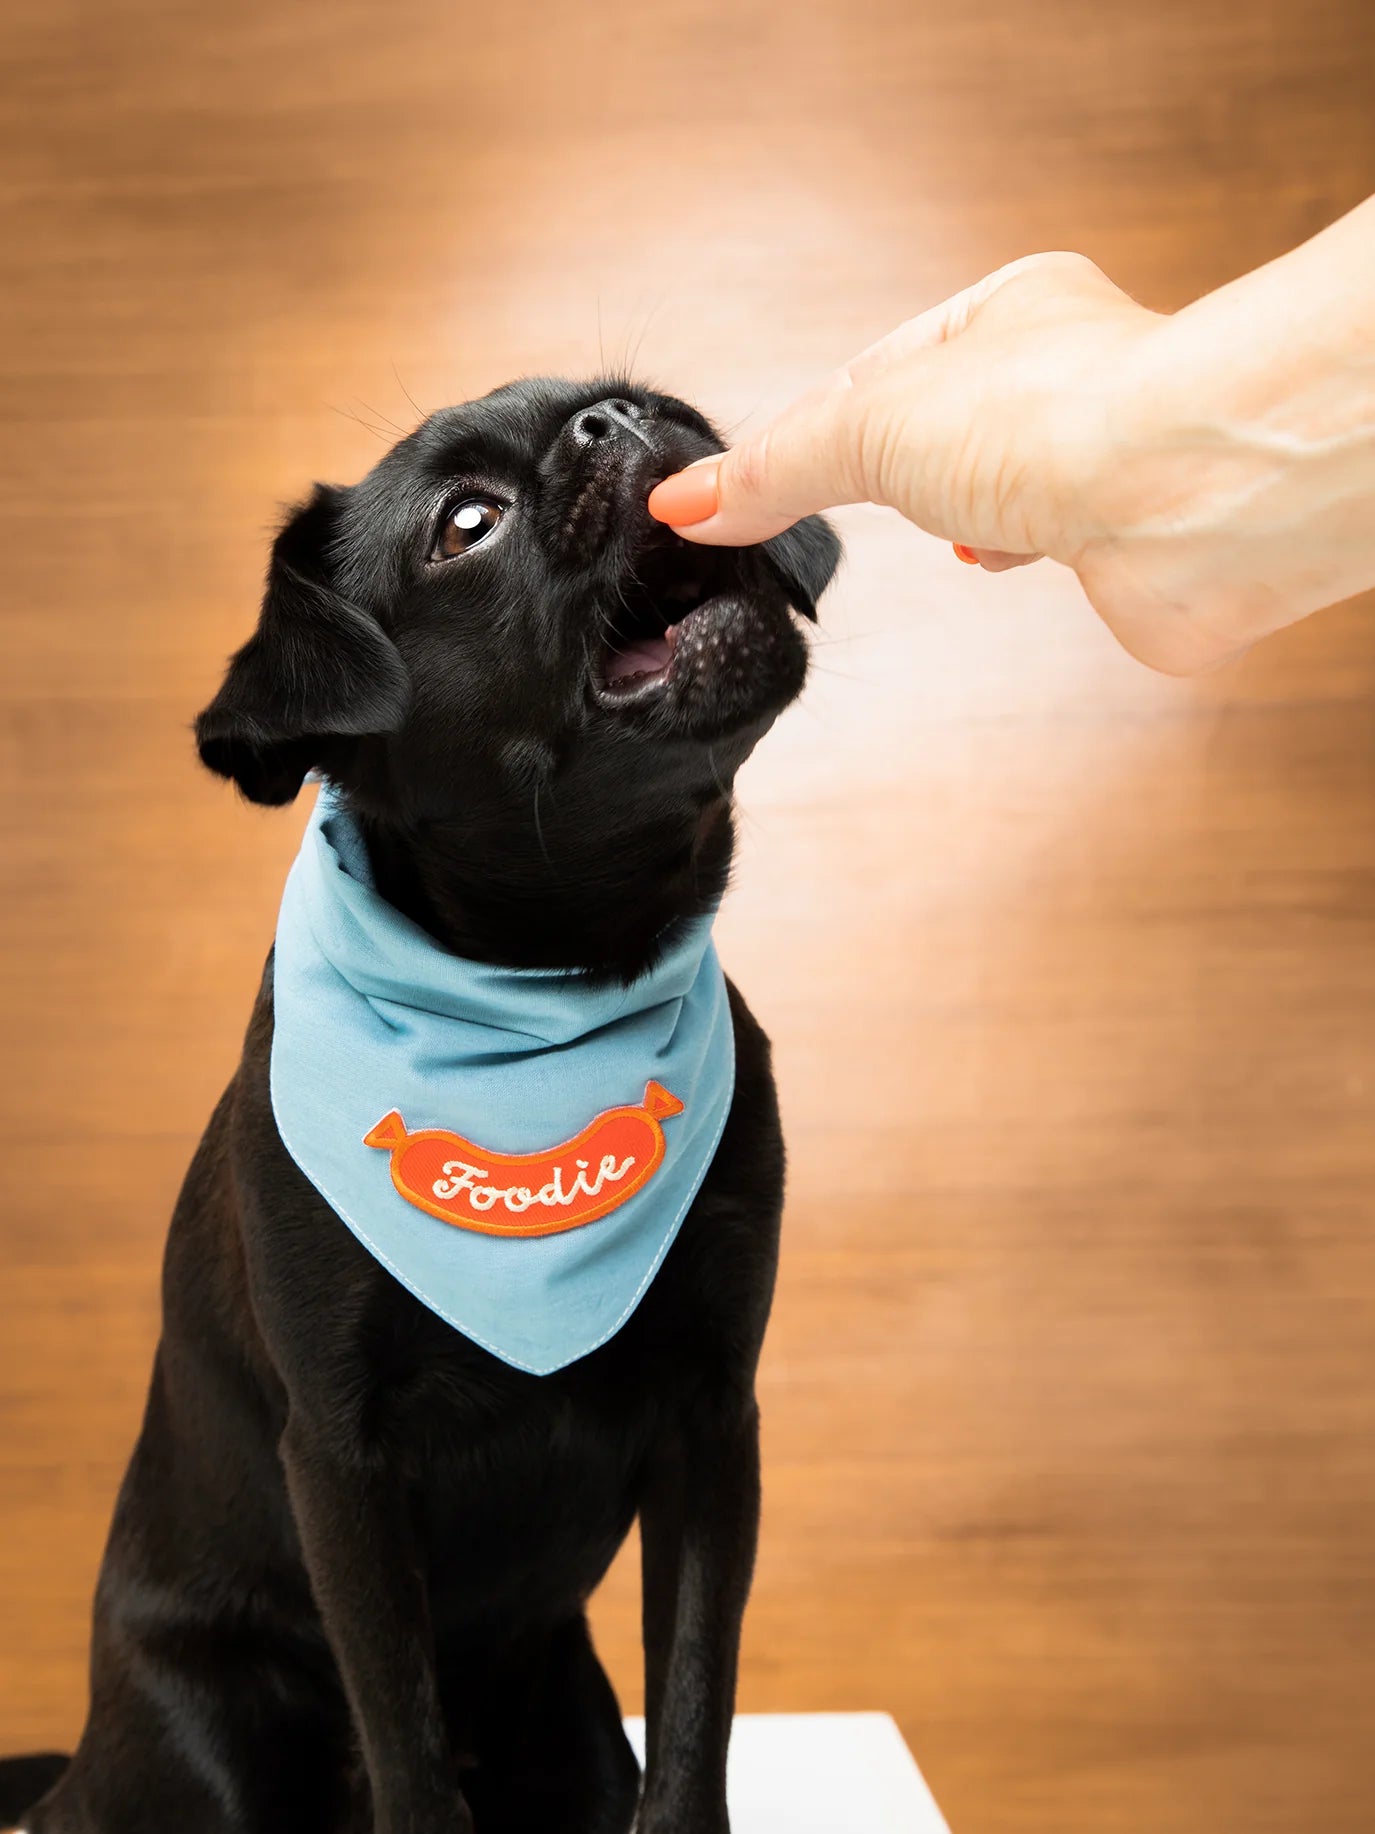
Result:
pixel 490 632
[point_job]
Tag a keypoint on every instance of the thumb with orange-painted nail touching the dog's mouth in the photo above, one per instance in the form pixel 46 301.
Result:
pixel 806 461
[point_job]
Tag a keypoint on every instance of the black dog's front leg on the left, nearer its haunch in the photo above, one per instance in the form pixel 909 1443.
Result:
pixel 373 1600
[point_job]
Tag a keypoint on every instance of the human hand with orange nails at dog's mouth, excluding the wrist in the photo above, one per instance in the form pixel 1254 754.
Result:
pixel 960 419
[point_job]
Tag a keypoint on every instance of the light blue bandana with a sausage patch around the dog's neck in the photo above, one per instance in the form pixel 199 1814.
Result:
pixel 520 1149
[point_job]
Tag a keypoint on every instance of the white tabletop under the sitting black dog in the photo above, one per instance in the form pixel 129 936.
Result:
pixel 822 1774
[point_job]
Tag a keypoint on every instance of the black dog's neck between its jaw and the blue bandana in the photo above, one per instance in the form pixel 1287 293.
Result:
pixel 496 890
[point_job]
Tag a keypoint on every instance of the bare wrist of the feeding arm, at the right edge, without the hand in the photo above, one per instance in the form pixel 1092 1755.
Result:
pixel 1235 456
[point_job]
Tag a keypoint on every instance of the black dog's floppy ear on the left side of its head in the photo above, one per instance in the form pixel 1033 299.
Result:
pixel 316 668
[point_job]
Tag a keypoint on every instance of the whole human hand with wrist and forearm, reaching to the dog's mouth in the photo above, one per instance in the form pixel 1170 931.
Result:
pixel 1174 463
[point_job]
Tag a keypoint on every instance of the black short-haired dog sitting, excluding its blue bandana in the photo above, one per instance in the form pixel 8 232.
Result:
pixel 347 1574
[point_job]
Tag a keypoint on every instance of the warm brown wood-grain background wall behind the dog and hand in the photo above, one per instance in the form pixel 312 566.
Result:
pixel 1072 1386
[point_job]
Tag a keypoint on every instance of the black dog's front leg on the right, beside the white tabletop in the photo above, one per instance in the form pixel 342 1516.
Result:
pixel 699 1527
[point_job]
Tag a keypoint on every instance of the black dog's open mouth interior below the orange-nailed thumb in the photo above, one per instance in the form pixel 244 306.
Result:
pixel 672 582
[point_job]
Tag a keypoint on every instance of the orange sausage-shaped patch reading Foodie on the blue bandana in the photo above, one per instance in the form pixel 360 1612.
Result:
pixel 536 1193
